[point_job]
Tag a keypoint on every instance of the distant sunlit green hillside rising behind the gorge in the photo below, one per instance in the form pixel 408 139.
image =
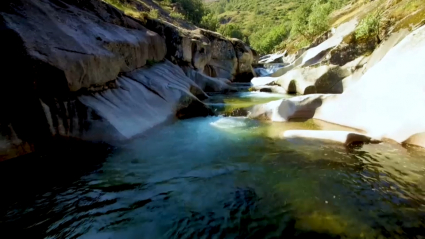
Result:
pixel 273 25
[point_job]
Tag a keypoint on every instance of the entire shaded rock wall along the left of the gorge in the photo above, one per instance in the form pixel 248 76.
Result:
pixel 84 70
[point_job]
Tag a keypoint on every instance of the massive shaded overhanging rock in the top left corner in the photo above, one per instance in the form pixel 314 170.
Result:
pixel 73 47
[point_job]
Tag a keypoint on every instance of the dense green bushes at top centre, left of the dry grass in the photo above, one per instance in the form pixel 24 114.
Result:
pixel 266 24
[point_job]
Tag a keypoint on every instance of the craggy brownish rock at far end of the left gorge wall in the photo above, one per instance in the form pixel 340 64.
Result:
pixel 206 51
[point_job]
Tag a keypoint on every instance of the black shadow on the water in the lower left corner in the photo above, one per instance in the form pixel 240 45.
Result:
pixel 29 184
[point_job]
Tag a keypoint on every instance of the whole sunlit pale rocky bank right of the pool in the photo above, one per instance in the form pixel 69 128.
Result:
pixel 381 93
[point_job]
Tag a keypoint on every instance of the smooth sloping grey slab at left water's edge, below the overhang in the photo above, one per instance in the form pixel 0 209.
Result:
pixel 138 102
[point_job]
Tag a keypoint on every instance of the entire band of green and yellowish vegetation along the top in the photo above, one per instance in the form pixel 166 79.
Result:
pixel 271 25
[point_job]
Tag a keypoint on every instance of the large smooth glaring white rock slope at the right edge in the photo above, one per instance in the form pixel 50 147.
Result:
pixel 388 100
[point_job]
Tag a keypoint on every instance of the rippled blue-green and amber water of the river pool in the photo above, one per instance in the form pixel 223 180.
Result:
pixel 226 177
